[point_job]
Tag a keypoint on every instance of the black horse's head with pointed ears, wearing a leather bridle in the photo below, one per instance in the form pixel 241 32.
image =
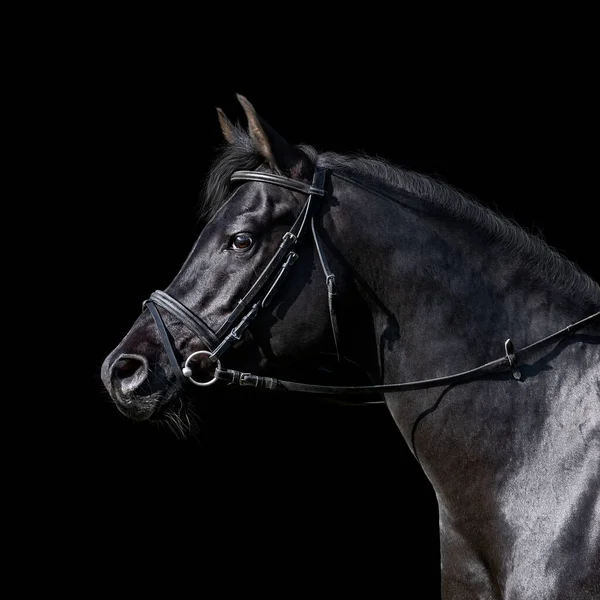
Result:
pixel 227 294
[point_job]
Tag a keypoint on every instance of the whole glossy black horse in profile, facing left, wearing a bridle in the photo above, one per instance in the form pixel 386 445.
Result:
pixel 315 256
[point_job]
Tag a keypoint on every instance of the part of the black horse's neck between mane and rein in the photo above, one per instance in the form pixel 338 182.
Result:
pixel 444 295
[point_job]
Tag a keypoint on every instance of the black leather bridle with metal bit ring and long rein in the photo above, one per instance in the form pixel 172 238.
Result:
pixel 265 287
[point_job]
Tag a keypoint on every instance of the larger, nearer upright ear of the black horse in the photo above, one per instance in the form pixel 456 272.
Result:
pixel 281 156
